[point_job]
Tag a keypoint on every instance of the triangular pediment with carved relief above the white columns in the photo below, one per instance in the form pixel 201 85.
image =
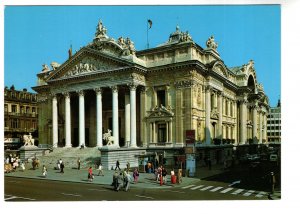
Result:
pixel 86 62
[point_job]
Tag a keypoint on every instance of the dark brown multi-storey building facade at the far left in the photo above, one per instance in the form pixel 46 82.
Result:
pixel 20 116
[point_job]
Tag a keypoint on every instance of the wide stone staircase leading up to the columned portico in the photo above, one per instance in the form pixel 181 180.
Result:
pixel 88 157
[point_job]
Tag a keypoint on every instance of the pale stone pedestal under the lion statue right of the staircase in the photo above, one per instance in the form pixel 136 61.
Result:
pixel 110 155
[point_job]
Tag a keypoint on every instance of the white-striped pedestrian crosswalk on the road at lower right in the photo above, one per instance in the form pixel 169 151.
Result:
pixel 224 190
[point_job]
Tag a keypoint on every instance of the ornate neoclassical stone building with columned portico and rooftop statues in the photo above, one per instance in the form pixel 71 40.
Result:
pixel 149 98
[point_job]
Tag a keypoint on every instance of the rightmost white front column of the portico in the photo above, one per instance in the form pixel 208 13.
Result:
pixel 133 116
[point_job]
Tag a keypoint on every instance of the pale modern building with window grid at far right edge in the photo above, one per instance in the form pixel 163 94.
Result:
pixel 274 124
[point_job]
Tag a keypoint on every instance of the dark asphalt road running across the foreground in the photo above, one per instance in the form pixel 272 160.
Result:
pixel 32 190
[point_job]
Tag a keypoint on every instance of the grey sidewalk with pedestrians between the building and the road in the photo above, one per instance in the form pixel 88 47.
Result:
pixel 146 180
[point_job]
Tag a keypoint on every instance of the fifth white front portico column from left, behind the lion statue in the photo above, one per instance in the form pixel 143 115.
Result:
pixel 115 109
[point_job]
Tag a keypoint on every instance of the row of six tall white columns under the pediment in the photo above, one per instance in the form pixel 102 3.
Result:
pixel 99 117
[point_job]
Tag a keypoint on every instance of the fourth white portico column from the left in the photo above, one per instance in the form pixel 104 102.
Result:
pixel 99 117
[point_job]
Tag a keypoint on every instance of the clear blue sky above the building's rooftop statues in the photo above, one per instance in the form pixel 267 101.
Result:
pixel 35 35
